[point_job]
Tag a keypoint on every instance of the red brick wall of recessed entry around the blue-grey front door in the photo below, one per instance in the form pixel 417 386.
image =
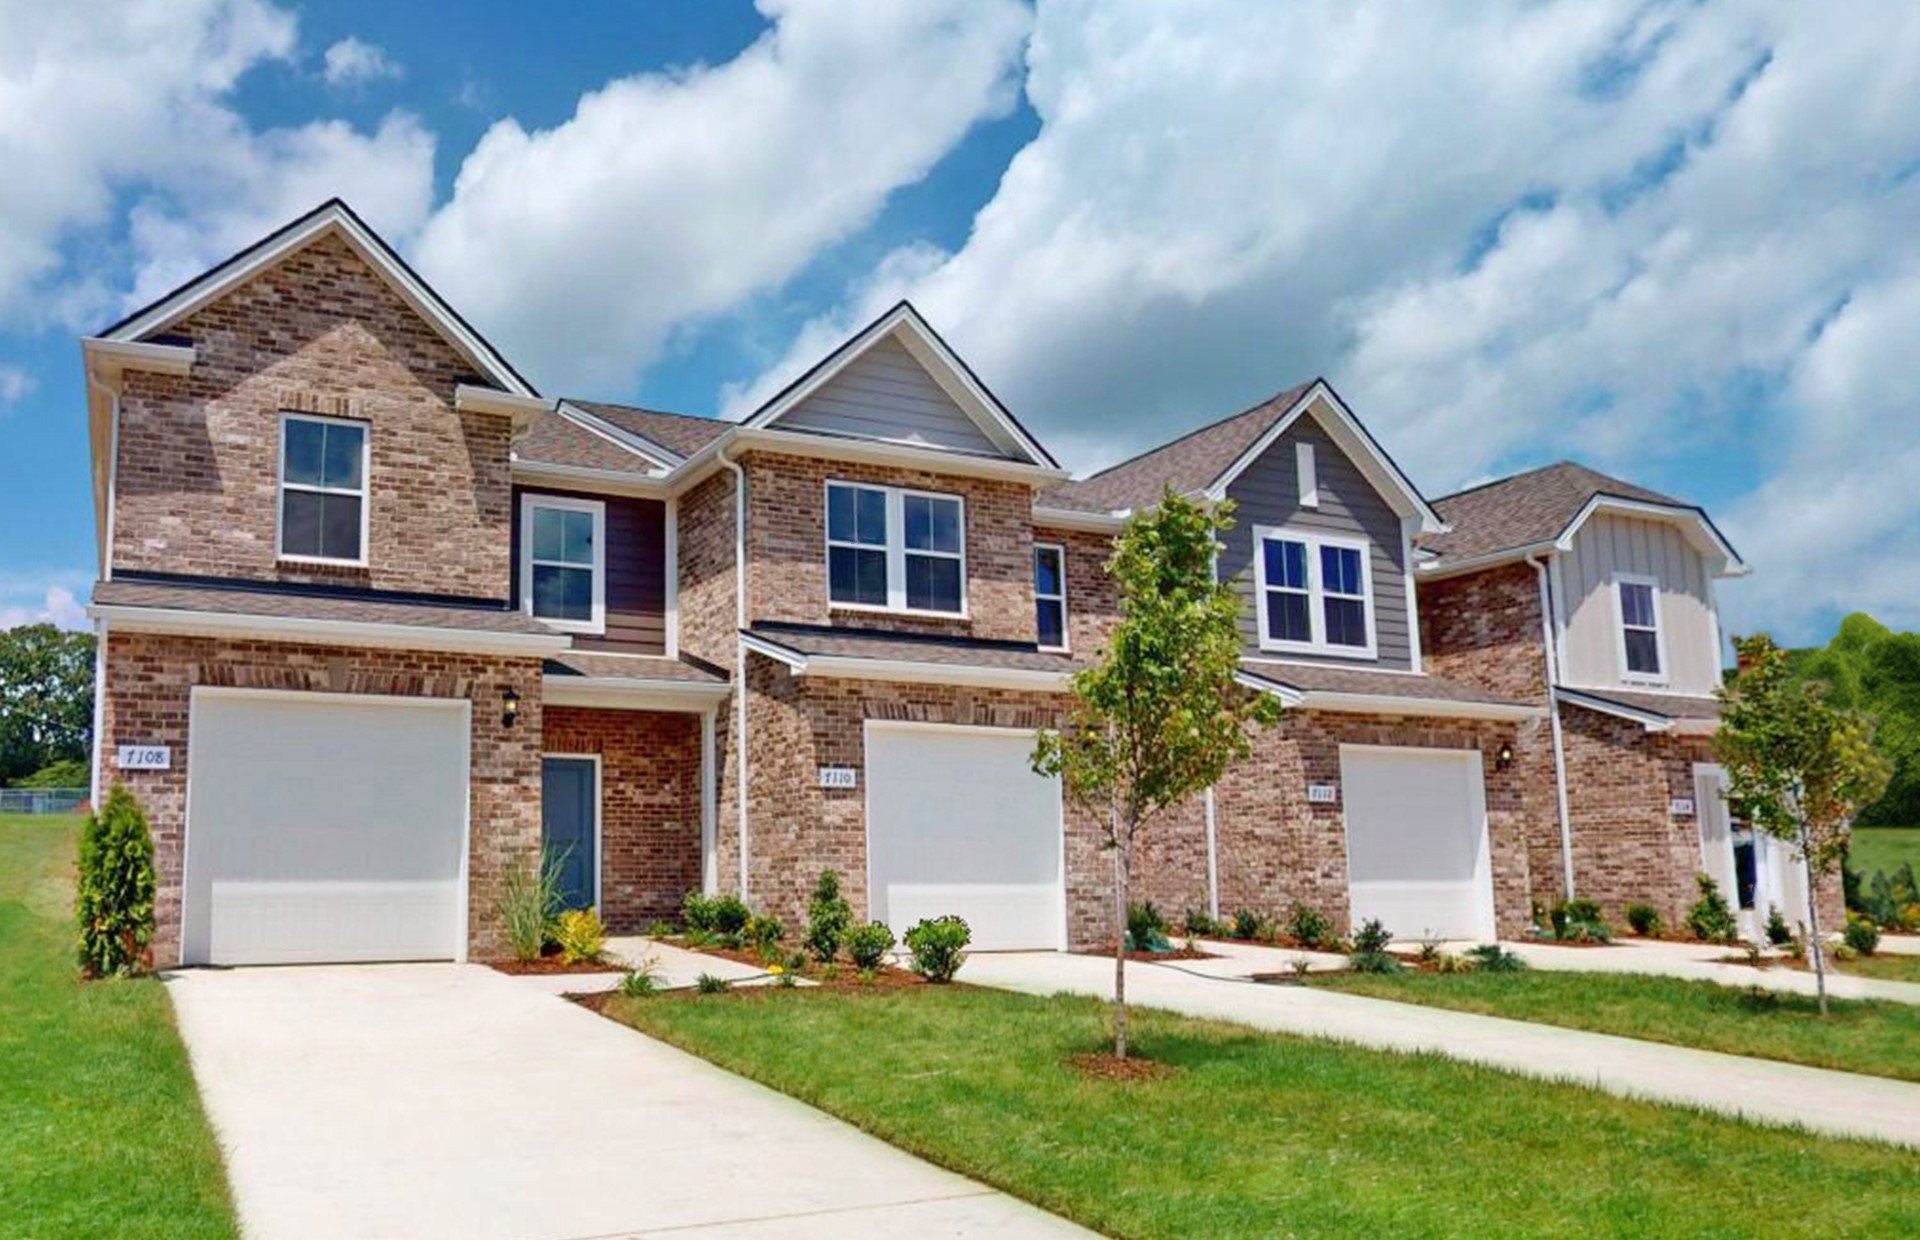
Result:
pixel 650 807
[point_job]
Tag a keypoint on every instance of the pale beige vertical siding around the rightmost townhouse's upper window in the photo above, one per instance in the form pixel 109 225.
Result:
pixel 1608 546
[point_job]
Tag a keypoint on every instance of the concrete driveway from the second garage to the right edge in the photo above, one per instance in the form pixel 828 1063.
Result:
pixel 1833 1103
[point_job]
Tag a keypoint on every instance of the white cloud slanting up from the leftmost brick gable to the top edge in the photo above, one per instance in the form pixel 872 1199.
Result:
pixel 669 199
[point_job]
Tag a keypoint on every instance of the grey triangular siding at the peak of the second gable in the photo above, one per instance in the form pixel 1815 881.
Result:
pixel 886 394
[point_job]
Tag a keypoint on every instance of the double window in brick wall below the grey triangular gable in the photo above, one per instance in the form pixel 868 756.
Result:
pixel 896 550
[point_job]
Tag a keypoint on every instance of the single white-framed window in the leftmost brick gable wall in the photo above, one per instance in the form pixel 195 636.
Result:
pixel 324 490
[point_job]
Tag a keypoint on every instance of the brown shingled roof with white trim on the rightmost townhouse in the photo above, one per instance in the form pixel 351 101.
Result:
pixel 1543 510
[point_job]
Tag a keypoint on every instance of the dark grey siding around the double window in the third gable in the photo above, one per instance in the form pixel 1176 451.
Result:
pixel 1268 494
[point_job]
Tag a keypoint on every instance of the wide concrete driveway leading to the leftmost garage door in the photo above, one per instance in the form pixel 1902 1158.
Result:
pixel 452 1101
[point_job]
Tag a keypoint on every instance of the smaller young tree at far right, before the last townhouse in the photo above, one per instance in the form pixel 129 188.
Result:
pixel 1796 767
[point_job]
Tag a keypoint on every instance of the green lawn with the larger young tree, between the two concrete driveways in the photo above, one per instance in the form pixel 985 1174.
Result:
pixel 1266 1135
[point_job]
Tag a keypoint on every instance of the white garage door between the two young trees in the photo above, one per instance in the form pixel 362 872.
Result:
pixel 1416 842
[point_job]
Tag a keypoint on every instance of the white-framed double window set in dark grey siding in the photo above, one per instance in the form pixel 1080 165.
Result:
pixel 1314 594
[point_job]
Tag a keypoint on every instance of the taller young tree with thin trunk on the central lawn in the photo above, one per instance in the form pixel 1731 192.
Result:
pixel 1159 719
